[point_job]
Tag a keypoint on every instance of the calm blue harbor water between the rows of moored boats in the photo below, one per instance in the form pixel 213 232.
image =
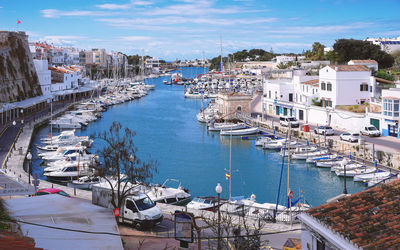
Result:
pixel 167 131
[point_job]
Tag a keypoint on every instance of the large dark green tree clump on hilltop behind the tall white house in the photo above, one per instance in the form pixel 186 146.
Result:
pixel 348 49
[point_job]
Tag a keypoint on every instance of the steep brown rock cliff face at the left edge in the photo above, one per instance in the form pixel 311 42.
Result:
pixel 18 78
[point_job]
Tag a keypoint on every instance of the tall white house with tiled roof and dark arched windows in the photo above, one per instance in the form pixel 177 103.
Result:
pixel 345 85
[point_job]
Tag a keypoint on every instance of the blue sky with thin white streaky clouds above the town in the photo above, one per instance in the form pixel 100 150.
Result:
pixel 185 29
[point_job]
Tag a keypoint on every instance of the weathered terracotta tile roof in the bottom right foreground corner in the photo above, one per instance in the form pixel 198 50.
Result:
pixel 370 219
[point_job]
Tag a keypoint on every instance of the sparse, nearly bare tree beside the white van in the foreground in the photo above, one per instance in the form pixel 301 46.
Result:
pixel 120 157
